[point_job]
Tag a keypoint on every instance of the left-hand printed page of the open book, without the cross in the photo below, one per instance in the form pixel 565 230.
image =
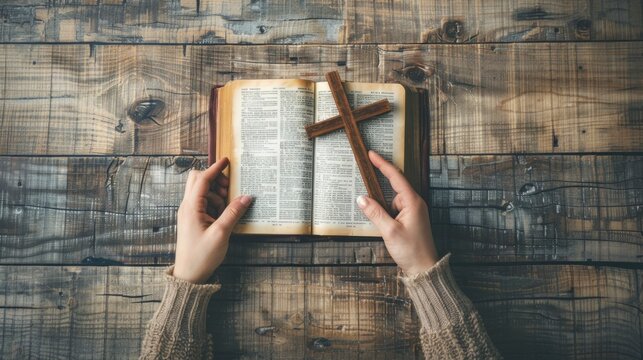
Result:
pixel 271 157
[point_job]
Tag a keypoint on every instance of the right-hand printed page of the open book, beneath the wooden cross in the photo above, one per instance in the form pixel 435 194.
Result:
pixel 337 180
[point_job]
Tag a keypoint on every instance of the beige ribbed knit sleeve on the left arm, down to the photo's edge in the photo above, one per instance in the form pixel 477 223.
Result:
pixel 177 329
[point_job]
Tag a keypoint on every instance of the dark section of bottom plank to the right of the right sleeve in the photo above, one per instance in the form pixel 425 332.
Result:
pixel 558 312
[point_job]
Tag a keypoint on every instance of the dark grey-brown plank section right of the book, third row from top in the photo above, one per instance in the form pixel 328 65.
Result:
pixel 490 208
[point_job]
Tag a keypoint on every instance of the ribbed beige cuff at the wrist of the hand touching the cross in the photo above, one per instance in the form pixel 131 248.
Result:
pixel 438 300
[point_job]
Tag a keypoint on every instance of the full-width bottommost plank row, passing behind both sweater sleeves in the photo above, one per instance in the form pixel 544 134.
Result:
pixel 531 312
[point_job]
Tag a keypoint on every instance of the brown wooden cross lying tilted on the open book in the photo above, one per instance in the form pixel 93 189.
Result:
pixel 347 119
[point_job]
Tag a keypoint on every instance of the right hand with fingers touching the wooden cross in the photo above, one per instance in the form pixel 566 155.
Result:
pixel 408 236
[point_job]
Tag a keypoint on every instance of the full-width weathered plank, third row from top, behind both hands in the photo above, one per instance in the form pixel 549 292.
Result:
pixel 484 209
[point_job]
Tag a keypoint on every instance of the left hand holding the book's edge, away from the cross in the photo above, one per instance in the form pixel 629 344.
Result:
pixel 204 223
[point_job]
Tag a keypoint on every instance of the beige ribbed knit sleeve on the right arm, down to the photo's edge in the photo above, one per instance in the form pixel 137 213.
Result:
pixel 451 327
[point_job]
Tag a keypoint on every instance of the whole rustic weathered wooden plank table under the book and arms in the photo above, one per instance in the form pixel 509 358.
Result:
pixel 536 173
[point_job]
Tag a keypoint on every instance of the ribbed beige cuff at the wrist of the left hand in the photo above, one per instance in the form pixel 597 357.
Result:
pixel 184 306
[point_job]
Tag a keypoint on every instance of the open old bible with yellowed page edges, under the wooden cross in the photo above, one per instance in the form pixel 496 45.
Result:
pixel 304 186
